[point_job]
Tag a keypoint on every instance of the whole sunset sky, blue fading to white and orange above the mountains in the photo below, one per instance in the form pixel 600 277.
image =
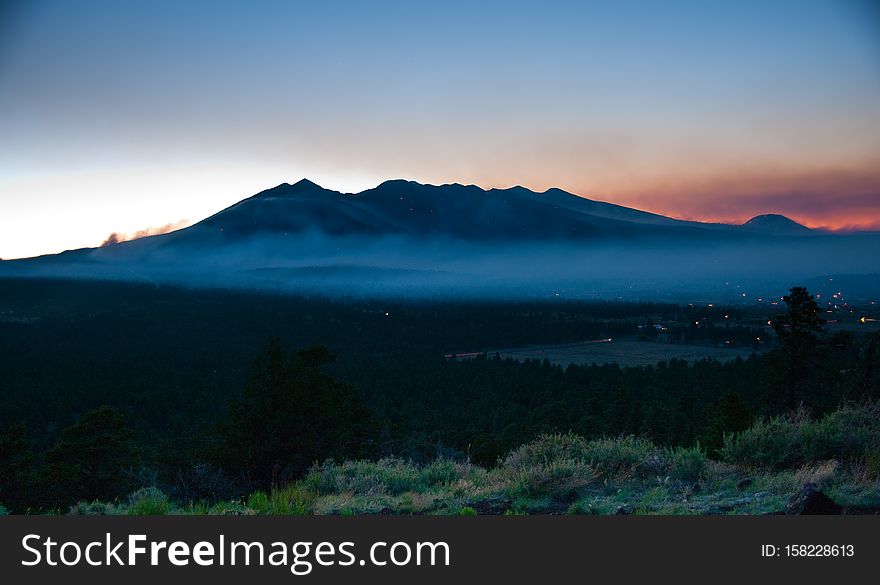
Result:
pixel 127 116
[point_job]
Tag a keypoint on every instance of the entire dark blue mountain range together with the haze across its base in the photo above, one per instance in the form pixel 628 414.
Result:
pixel 403 236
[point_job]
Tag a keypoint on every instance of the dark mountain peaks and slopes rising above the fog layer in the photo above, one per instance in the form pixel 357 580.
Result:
pixel 459 212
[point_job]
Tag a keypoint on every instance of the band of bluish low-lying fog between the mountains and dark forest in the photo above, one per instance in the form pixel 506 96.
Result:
pixel 396 266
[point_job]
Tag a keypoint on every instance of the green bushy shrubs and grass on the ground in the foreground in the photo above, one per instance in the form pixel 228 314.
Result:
pixel 759 469
